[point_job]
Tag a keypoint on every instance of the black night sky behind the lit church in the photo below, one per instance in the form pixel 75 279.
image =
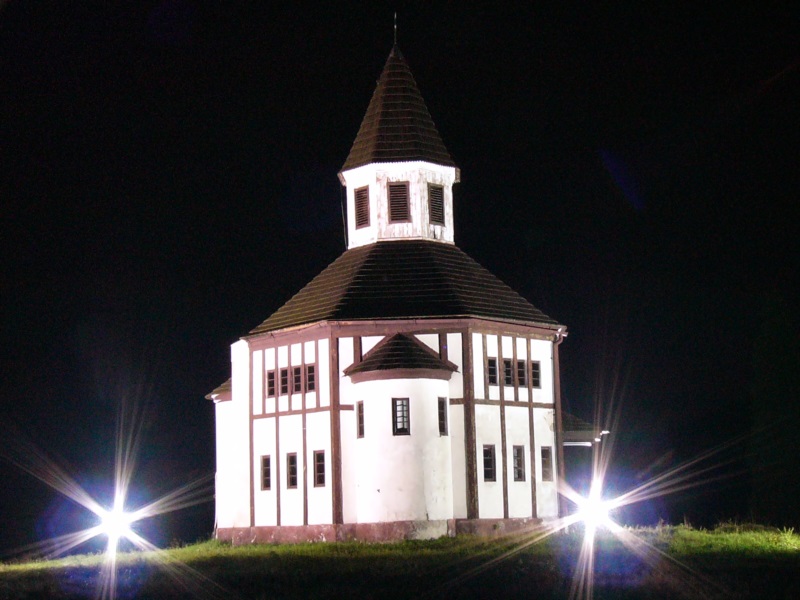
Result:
pixel 168 180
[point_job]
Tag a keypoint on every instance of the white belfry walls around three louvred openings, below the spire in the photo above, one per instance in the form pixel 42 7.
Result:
pixel 418 174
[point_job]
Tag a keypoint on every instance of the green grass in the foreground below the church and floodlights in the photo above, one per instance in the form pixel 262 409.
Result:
pixel 732 560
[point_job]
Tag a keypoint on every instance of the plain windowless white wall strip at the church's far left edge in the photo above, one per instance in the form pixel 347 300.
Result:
pixel 233 445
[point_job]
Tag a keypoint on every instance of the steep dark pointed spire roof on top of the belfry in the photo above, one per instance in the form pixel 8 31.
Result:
pixel 397 126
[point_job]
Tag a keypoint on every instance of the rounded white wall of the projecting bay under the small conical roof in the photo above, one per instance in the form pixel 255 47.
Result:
pixel 405 477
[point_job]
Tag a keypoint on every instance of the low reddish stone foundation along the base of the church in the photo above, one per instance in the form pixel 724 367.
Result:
pixel 374 532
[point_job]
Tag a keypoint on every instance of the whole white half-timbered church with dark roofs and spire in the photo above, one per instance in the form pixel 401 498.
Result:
pixel 405 392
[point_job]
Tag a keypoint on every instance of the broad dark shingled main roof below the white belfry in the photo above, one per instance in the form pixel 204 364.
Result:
pixel 403 279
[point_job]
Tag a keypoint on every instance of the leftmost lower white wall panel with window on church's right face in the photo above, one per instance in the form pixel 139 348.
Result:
pixel 487 431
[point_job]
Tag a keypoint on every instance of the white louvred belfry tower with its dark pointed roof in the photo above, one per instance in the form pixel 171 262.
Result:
pixel 399 175
